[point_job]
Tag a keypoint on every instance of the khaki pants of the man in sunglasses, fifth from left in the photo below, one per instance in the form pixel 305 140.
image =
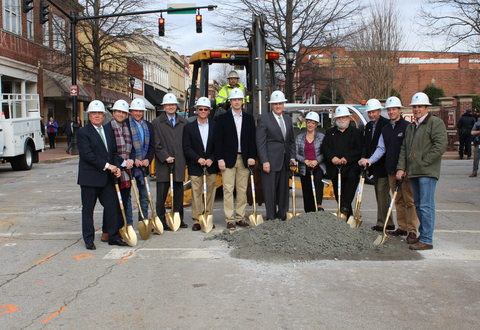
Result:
pixel 197 195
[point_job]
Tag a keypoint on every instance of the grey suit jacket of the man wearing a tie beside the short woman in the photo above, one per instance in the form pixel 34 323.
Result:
pixel 271 145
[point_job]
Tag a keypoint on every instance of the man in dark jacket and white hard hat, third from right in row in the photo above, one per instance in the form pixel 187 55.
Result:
pixel 371 135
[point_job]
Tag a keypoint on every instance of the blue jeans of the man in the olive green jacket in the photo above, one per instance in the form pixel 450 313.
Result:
pixel 424 199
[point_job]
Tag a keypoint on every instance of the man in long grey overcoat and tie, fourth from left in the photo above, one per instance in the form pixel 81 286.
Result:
pixel 168 128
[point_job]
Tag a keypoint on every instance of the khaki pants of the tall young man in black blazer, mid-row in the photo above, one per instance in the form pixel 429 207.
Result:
pixel 235 178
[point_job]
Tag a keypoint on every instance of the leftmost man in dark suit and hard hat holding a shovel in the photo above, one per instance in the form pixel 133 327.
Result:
pixel 98 157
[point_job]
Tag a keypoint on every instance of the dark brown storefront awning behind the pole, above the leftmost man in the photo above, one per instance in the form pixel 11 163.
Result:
pixel 58 85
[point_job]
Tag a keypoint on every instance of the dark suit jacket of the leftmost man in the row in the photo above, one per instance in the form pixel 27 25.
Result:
pixel 94 156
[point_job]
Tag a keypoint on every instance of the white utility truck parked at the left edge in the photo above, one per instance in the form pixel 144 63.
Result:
pixel 21 137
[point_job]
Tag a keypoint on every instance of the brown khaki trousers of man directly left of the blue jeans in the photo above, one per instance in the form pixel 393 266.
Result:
pixel 406 216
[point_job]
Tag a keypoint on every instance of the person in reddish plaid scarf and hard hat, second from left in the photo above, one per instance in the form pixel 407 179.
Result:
pixel 123 139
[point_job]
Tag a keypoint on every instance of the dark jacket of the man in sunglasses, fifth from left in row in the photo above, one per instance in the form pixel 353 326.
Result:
pixel 193 148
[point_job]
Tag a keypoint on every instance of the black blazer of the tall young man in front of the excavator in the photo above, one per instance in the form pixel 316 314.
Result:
pixel 226 141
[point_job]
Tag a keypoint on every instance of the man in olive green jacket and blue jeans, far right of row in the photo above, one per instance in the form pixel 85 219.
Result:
pixel 420 160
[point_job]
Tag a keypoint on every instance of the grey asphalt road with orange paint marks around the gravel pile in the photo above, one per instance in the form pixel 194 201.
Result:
pixel 48 280
